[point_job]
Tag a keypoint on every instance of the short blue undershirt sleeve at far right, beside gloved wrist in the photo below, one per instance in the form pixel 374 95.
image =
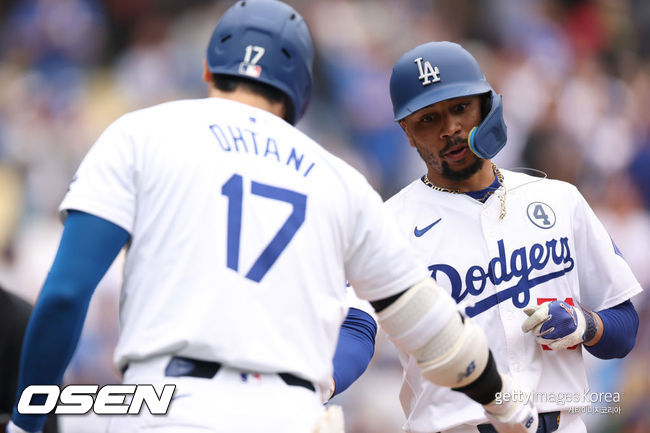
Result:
pixel 620 325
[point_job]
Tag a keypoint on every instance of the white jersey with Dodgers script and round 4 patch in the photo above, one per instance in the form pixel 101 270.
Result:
pixel 549 245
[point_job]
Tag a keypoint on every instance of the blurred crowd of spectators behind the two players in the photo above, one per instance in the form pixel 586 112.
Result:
pixel 575 80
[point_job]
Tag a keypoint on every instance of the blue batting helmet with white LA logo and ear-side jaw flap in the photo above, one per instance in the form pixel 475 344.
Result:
pixel 437 71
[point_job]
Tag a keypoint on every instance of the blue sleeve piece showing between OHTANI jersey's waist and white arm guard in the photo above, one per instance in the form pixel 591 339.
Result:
pixel 354 349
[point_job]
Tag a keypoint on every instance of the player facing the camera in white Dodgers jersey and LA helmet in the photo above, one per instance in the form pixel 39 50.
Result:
pixel 505 246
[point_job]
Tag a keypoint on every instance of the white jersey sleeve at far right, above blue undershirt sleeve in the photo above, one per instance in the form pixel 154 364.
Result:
pixel 605 277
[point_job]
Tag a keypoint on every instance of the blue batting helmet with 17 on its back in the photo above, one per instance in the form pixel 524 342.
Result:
pixel 266 41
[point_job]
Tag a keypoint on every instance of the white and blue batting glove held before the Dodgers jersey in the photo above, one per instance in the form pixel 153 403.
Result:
pixel 559 325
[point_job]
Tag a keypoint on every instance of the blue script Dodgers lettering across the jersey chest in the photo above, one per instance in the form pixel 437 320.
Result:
pixel 501 269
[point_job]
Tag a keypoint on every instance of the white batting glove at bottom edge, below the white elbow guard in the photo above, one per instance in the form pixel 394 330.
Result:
pixel 512 411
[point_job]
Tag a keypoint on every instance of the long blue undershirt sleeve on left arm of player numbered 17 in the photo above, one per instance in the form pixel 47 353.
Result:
pixel 88 247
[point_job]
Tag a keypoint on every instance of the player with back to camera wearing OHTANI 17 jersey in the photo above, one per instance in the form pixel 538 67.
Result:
pixel 240 233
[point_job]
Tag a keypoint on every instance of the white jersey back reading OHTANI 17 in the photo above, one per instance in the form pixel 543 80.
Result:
pixel 243 234
